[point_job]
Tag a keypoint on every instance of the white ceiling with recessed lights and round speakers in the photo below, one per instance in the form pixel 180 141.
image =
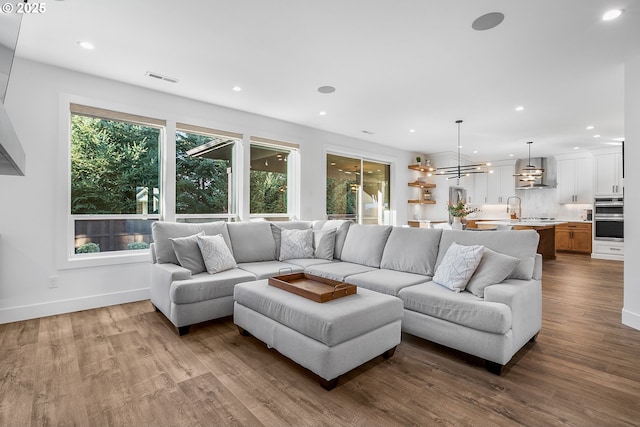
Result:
pixel 396 65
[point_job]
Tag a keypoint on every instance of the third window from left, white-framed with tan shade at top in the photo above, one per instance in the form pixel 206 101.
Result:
pixel 270 179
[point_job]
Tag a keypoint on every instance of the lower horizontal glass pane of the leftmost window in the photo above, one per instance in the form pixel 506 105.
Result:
pixel 104 235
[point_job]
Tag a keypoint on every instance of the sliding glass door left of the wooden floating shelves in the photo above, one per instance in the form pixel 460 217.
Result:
pixel 357 189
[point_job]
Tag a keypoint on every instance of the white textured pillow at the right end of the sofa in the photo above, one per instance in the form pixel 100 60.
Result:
pixel 458 266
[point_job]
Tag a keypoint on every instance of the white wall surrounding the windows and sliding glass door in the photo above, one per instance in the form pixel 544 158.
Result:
pixel 30 205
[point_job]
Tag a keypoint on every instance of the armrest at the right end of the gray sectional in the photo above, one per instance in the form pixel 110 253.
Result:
pixel 524 297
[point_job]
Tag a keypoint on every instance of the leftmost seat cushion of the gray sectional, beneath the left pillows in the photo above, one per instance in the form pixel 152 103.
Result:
pixel 205 286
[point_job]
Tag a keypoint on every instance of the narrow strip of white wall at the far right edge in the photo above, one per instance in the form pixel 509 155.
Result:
pixel 631 308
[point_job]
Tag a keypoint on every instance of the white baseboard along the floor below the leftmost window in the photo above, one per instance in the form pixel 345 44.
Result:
pixel 34 311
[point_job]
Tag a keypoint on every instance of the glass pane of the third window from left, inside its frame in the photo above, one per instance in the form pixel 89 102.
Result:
pixel 268 180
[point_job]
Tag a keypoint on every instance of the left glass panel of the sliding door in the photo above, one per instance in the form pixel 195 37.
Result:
pixel 343 179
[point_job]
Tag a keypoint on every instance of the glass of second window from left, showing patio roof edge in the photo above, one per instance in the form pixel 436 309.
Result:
pixel 203 173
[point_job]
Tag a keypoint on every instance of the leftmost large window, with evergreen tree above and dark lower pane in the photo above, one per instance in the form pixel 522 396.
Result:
pixel 115 179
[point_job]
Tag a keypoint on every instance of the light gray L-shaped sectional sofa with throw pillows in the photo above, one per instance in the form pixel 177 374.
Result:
pixel 497 313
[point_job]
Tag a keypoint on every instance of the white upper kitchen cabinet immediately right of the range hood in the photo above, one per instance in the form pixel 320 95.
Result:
pixel 575 180
